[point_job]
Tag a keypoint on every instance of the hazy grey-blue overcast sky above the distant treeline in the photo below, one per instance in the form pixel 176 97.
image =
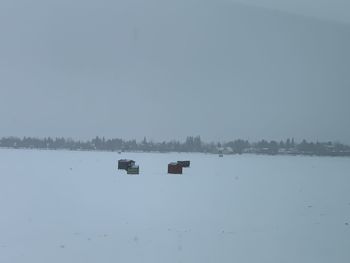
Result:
pixel 167 69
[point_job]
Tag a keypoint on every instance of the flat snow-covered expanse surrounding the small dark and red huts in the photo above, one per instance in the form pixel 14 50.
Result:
pixel 62 206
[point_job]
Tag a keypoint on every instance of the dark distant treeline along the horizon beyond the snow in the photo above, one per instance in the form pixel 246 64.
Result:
pixel 191 144
